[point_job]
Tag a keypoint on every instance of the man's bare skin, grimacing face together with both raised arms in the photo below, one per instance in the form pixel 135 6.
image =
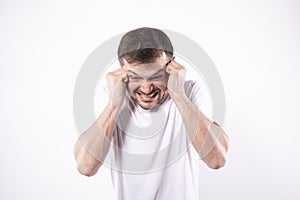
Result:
pixel 148 86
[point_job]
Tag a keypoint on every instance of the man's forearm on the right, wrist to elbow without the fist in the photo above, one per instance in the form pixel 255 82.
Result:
pixel 207 137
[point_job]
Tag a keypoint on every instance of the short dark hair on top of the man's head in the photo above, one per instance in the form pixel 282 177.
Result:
pixel 144 45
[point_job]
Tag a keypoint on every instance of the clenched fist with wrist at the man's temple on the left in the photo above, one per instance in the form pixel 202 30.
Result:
pixel 116 83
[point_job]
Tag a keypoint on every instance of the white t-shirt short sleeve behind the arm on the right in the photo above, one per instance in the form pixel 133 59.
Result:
pixel 199 94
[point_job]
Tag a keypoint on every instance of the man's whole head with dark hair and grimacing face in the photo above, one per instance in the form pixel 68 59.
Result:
pixel 145 53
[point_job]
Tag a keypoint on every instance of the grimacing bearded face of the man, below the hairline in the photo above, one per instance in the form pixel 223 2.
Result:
pixel 147 83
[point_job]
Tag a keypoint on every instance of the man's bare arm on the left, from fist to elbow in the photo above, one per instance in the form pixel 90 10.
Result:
pixel 93 145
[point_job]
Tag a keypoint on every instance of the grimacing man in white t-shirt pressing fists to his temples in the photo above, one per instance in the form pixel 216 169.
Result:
pixel 151 116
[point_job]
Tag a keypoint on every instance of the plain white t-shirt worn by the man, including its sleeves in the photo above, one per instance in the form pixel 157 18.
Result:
pixel 151 156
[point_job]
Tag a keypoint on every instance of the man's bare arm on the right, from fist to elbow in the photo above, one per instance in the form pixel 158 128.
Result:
pixel 207 137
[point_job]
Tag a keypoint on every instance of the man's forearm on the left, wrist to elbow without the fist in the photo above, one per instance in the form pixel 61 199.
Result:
pixel 93 145
